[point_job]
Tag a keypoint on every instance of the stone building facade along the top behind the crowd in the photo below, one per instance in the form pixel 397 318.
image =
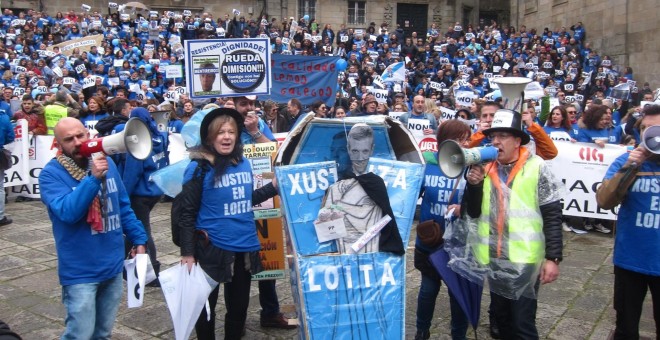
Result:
pixel 626 30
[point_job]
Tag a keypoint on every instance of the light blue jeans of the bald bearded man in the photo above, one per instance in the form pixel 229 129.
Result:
pixel 91 308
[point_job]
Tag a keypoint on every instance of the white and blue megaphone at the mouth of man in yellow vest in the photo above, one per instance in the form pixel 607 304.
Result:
pixel 453 159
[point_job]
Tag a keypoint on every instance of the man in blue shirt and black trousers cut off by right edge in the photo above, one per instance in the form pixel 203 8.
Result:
pixel 632 181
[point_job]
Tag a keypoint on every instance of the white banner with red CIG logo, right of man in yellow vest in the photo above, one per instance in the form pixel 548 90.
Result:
pixel 582 166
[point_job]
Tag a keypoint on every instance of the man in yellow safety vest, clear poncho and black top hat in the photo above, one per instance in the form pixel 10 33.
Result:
pixel 514 210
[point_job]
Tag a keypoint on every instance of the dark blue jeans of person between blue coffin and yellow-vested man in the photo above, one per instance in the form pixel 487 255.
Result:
pixel 428 293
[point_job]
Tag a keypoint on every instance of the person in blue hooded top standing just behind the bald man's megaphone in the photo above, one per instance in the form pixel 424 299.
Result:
pixel 144 194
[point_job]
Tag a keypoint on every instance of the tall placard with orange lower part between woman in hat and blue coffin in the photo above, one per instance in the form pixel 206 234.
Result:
pixel 267 215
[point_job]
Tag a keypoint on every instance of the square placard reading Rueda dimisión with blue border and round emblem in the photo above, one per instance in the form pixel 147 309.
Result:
pixel 227 67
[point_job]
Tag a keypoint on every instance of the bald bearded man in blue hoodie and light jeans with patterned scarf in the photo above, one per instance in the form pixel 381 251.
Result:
pixel 91 213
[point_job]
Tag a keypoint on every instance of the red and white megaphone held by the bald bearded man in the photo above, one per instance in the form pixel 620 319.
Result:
pixel 135 139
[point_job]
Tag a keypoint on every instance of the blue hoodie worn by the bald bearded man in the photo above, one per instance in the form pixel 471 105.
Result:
pixel 84 255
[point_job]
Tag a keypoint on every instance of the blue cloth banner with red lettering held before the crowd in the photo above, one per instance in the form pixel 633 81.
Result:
pixel 305 78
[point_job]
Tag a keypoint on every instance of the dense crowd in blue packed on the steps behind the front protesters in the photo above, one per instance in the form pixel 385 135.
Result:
pixel 130 62
